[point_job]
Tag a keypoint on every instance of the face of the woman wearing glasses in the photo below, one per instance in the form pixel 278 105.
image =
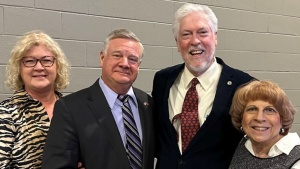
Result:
pixel 38 78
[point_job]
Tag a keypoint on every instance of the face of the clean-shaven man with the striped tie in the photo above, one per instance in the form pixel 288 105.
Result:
pixel 120 66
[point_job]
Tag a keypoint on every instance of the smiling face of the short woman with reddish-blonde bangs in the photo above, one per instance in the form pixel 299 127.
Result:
pixel 261 122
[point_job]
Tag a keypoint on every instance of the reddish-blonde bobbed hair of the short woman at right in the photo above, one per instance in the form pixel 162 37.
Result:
pixel 266 91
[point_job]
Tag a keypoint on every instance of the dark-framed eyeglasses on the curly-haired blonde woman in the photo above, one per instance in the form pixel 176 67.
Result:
pixel 46 61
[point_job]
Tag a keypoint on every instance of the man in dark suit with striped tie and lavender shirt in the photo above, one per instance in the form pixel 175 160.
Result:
pixel 88 125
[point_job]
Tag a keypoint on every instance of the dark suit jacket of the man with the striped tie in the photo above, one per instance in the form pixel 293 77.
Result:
pixel 83 129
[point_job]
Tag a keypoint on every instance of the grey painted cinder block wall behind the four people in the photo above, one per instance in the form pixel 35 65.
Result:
pixel 259 37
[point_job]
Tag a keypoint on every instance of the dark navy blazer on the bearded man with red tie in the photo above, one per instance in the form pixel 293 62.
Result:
pixel 214 144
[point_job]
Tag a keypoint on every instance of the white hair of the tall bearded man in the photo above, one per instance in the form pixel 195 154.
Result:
pixel 189 8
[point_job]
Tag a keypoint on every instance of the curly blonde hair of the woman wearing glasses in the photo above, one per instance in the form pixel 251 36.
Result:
pixel 26 42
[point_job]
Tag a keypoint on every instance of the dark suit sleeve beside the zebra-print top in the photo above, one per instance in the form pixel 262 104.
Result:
pixel 62 147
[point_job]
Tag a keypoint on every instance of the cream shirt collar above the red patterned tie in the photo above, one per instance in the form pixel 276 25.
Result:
pixel 205 80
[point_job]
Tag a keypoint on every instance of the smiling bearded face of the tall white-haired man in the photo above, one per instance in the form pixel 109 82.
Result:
pixel 196 43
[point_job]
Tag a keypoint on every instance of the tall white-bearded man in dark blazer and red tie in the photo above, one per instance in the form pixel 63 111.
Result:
pixel 214 141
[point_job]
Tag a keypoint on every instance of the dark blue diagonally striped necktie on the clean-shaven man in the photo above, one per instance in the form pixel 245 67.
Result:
pixel 133 142
